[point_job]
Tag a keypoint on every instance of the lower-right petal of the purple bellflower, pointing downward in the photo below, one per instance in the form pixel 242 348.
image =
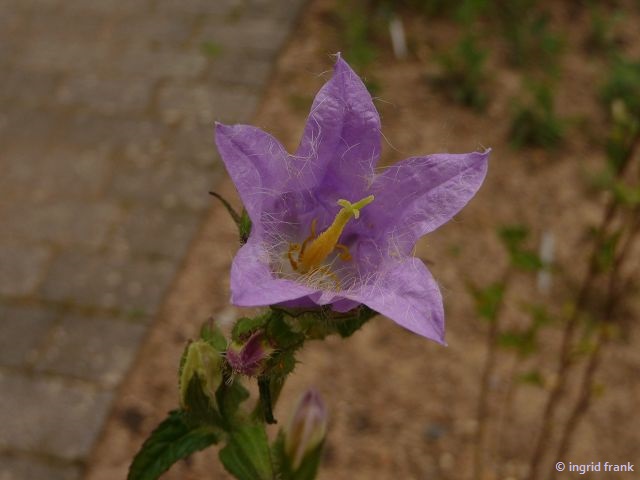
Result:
pixel 406 292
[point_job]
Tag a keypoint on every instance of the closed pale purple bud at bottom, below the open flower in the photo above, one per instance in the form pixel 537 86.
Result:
pixel 306 429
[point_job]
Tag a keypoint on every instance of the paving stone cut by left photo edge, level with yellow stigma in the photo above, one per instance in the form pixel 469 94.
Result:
pixel 65 223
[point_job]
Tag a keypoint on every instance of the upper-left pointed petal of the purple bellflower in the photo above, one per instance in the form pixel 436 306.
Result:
pixel 256 162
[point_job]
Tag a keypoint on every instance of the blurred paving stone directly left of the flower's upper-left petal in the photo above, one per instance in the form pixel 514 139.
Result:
pixel 168 184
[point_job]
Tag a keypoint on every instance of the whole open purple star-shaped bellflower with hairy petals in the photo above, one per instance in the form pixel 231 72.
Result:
pixel 328 229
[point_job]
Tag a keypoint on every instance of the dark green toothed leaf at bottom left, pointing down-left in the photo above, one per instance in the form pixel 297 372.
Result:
pixel 171 441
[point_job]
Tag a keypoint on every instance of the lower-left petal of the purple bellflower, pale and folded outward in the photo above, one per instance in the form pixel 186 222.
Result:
pixel 252 282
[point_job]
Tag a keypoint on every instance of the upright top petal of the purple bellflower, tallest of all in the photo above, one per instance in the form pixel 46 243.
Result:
pixel 340 145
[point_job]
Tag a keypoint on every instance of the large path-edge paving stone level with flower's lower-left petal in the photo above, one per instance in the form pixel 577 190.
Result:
pixel 108 280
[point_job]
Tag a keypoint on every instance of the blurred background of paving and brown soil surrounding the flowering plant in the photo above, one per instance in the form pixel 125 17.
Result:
pixel 112 253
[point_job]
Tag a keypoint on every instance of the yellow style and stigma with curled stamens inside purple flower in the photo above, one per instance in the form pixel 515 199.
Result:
pixel 312 254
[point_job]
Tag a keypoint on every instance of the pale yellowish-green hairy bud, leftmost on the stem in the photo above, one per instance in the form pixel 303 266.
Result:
pixel 203 360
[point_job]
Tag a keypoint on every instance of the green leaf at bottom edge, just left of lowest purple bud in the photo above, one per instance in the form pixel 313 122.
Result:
pixel 247 454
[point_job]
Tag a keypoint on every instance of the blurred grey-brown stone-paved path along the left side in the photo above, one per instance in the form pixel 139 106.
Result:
pixel 106 157
